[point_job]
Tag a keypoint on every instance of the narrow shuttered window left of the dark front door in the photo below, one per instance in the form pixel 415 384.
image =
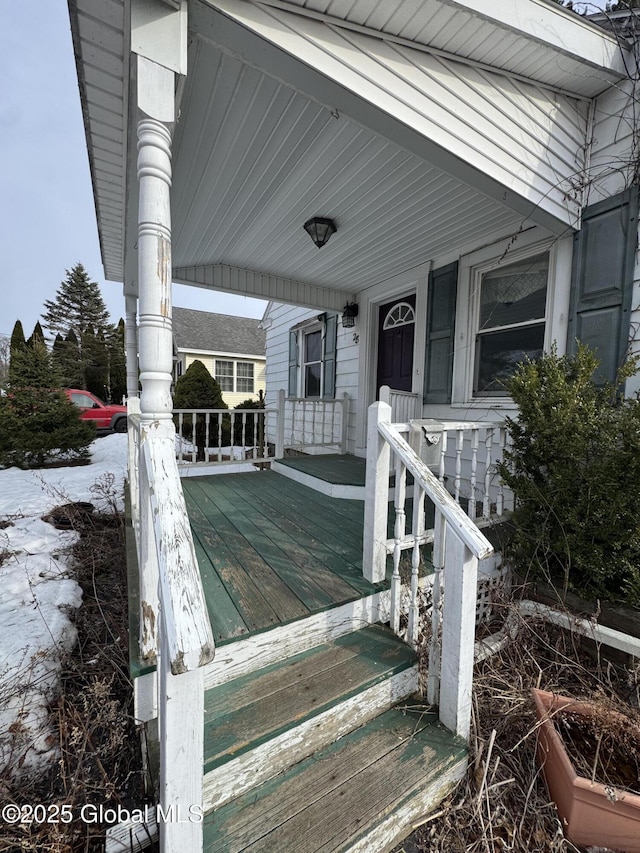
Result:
pixel 312 358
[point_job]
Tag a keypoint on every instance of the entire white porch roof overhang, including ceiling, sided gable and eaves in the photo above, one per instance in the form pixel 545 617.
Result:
pixel 389 126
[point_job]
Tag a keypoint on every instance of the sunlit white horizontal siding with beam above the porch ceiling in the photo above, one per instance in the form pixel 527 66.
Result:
pixel 485 131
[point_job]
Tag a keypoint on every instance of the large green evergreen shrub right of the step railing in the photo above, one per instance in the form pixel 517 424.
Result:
pixel 574 467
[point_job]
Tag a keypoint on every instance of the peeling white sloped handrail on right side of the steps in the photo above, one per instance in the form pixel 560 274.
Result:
pixel 468 532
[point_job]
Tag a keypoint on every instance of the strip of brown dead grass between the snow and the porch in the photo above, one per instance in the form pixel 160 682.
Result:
pixel 99 746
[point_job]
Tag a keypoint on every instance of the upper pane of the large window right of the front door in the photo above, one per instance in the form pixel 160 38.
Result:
pixel 514 293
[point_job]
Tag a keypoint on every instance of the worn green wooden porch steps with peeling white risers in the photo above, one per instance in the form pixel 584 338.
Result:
pixel 323 752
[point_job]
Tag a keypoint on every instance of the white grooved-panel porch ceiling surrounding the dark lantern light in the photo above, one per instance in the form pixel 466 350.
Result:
pixel 254 160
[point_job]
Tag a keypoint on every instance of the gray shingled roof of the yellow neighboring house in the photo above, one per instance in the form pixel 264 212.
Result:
pixel 201 330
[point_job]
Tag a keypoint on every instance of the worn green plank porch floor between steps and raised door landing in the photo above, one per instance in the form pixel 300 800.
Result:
pixel 272 551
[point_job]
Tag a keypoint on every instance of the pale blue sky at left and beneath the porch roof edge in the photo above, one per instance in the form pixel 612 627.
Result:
pixel 47 217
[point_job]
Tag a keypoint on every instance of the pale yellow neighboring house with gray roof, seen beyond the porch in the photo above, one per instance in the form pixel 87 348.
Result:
pixel 231 348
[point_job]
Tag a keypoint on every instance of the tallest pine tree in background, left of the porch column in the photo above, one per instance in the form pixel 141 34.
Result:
pixel 78 308
